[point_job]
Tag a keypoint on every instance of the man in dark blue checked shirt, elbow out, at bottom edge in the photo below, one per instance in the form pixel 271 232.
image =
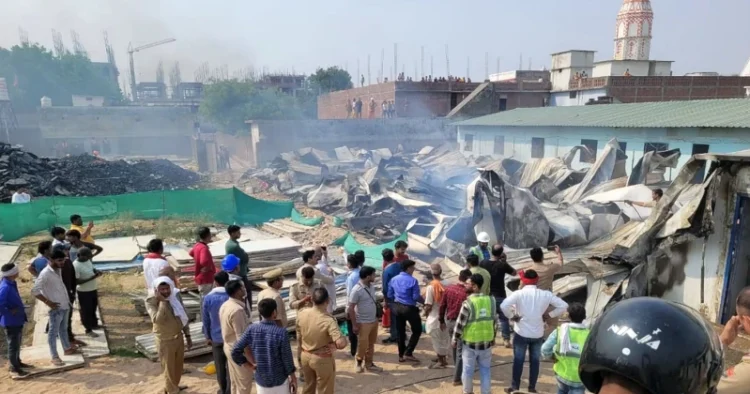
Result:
pixel 268 344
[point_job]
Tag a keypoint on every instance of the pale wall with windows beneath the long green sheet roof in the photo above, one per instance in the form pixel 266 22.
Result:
pixel 527 143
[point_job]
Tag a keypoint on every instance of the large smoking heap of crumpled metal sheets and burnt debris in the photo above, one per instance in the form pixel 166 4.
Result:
pixel 443 198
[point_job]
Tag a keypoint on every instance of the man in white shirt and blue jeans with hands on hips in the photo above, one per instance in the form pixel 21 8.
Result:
pixel 530 313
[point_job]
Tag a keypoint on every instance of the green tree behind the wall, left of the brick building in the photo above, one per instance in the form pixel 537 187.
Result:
pixel 230 103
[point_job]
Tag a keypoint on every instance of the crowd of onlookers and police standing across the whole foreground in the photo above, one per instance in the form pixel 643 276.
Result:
pixel 638 346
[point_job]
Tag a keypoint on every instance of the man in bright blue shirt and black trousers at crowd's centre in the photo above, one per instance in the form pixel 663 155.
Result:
pixel 404 290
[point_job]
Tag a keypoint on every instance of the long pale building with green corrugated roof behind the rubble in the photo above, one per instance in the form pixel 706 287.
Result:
pixel 694 127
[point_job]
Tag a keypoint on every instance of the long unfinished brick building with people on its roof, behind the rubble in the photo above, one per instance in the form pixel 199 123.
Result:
pixel 436 99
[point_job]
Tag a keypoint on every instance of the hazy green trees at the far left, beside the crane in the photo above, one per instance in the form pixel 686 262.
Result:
pixel 32 71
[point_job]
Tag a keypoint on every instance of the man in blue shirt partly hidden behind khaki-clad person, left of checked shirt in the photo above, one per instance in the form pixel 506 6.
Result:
pixel 212 328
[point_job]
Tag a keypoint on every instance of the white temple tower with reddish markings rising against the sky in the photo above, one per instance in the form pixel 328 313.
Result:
pixel 633 34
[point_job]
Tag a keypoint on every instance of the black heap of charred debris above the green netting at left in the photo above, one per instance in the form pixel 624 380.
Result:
pixel 86 175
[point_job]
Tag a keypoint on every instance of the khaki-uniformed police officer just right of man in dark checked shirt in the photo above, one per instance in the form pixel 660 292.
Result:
pixel 319 338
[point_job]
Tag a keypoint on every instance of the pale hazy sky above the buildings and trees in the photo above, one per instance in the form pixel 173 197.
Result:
pixel 300 35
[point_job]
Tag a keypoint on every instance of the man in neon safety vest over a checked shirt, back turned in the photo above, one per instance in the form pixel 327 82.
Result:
pixel 475 328
